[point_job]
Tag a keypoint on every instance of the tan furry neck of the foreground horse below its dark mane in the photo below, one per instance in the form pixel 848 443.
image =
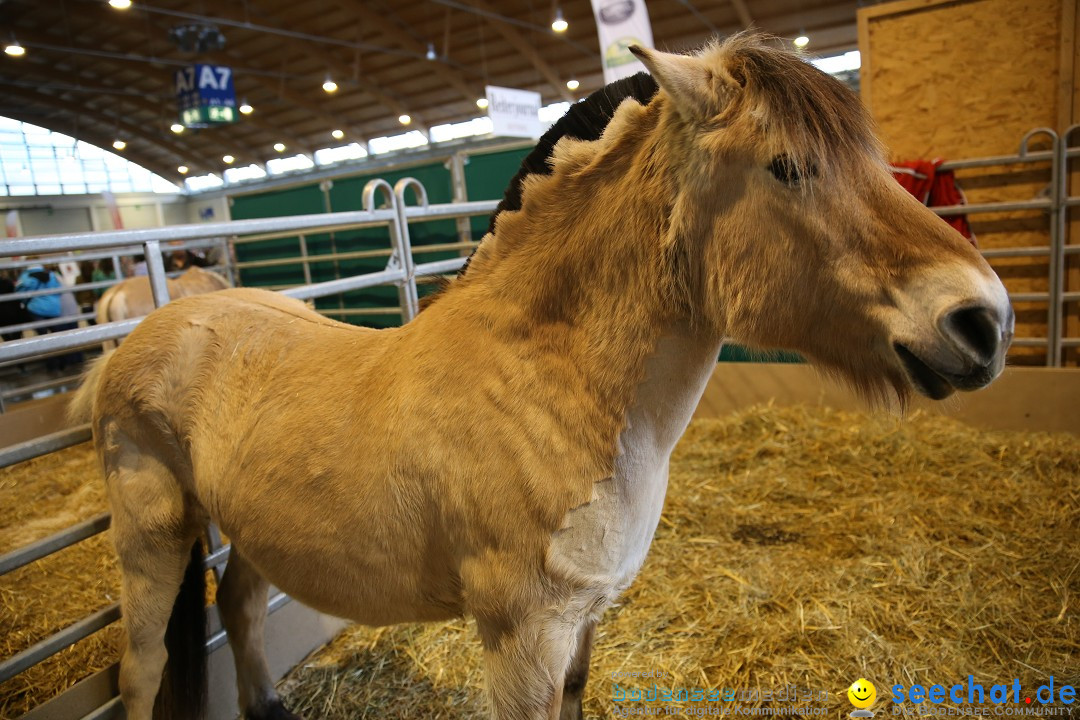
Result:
pixel 582 276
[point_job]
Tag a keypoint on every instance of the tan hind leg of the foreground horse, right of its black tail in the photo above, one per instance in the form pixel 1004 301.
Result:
pixel 242 601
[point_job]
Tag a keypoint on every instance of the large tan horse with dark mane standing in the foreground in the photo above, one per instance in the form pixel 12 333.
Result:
pixel 505 455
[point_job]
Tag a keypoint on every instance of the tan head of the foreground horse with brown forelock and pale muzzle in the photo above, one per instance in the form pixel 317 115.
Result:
pixel 789 230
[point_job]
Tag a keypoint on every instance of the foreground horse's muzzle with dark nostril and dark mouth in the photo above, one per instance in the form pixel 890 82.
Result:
pixel 967 354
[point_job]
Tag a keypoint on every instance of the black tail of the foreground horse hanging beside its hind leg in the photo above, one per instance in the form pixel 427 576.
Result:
pixel 184 691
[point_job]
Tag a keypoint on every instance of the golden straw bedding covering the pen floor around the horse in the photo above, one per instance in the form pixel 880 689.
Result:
pixel 800 547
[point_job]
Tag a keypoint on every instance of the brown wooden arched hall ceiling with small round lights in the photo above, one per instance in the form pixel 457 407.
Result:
pixel 100 74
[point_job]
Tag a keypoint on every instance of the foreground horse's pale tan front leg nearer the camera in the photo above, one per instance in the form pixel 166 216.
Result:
pixel 526 663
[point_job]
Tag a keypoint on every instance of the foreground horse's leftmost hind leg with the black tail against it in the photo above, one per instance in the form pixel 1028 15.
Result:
pixel 164 587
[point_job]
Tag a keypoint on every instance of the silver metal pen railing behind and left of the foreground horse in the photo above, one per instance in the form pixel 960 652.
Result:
pixel 401 271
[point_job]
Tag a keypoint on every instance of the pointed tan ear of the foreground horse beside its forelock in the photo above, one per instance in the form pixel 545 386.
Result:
pixel 699 90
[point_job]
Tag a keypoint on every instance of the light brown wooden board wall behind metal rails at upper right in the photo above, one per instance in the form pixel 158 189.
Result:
pixel 968 79
